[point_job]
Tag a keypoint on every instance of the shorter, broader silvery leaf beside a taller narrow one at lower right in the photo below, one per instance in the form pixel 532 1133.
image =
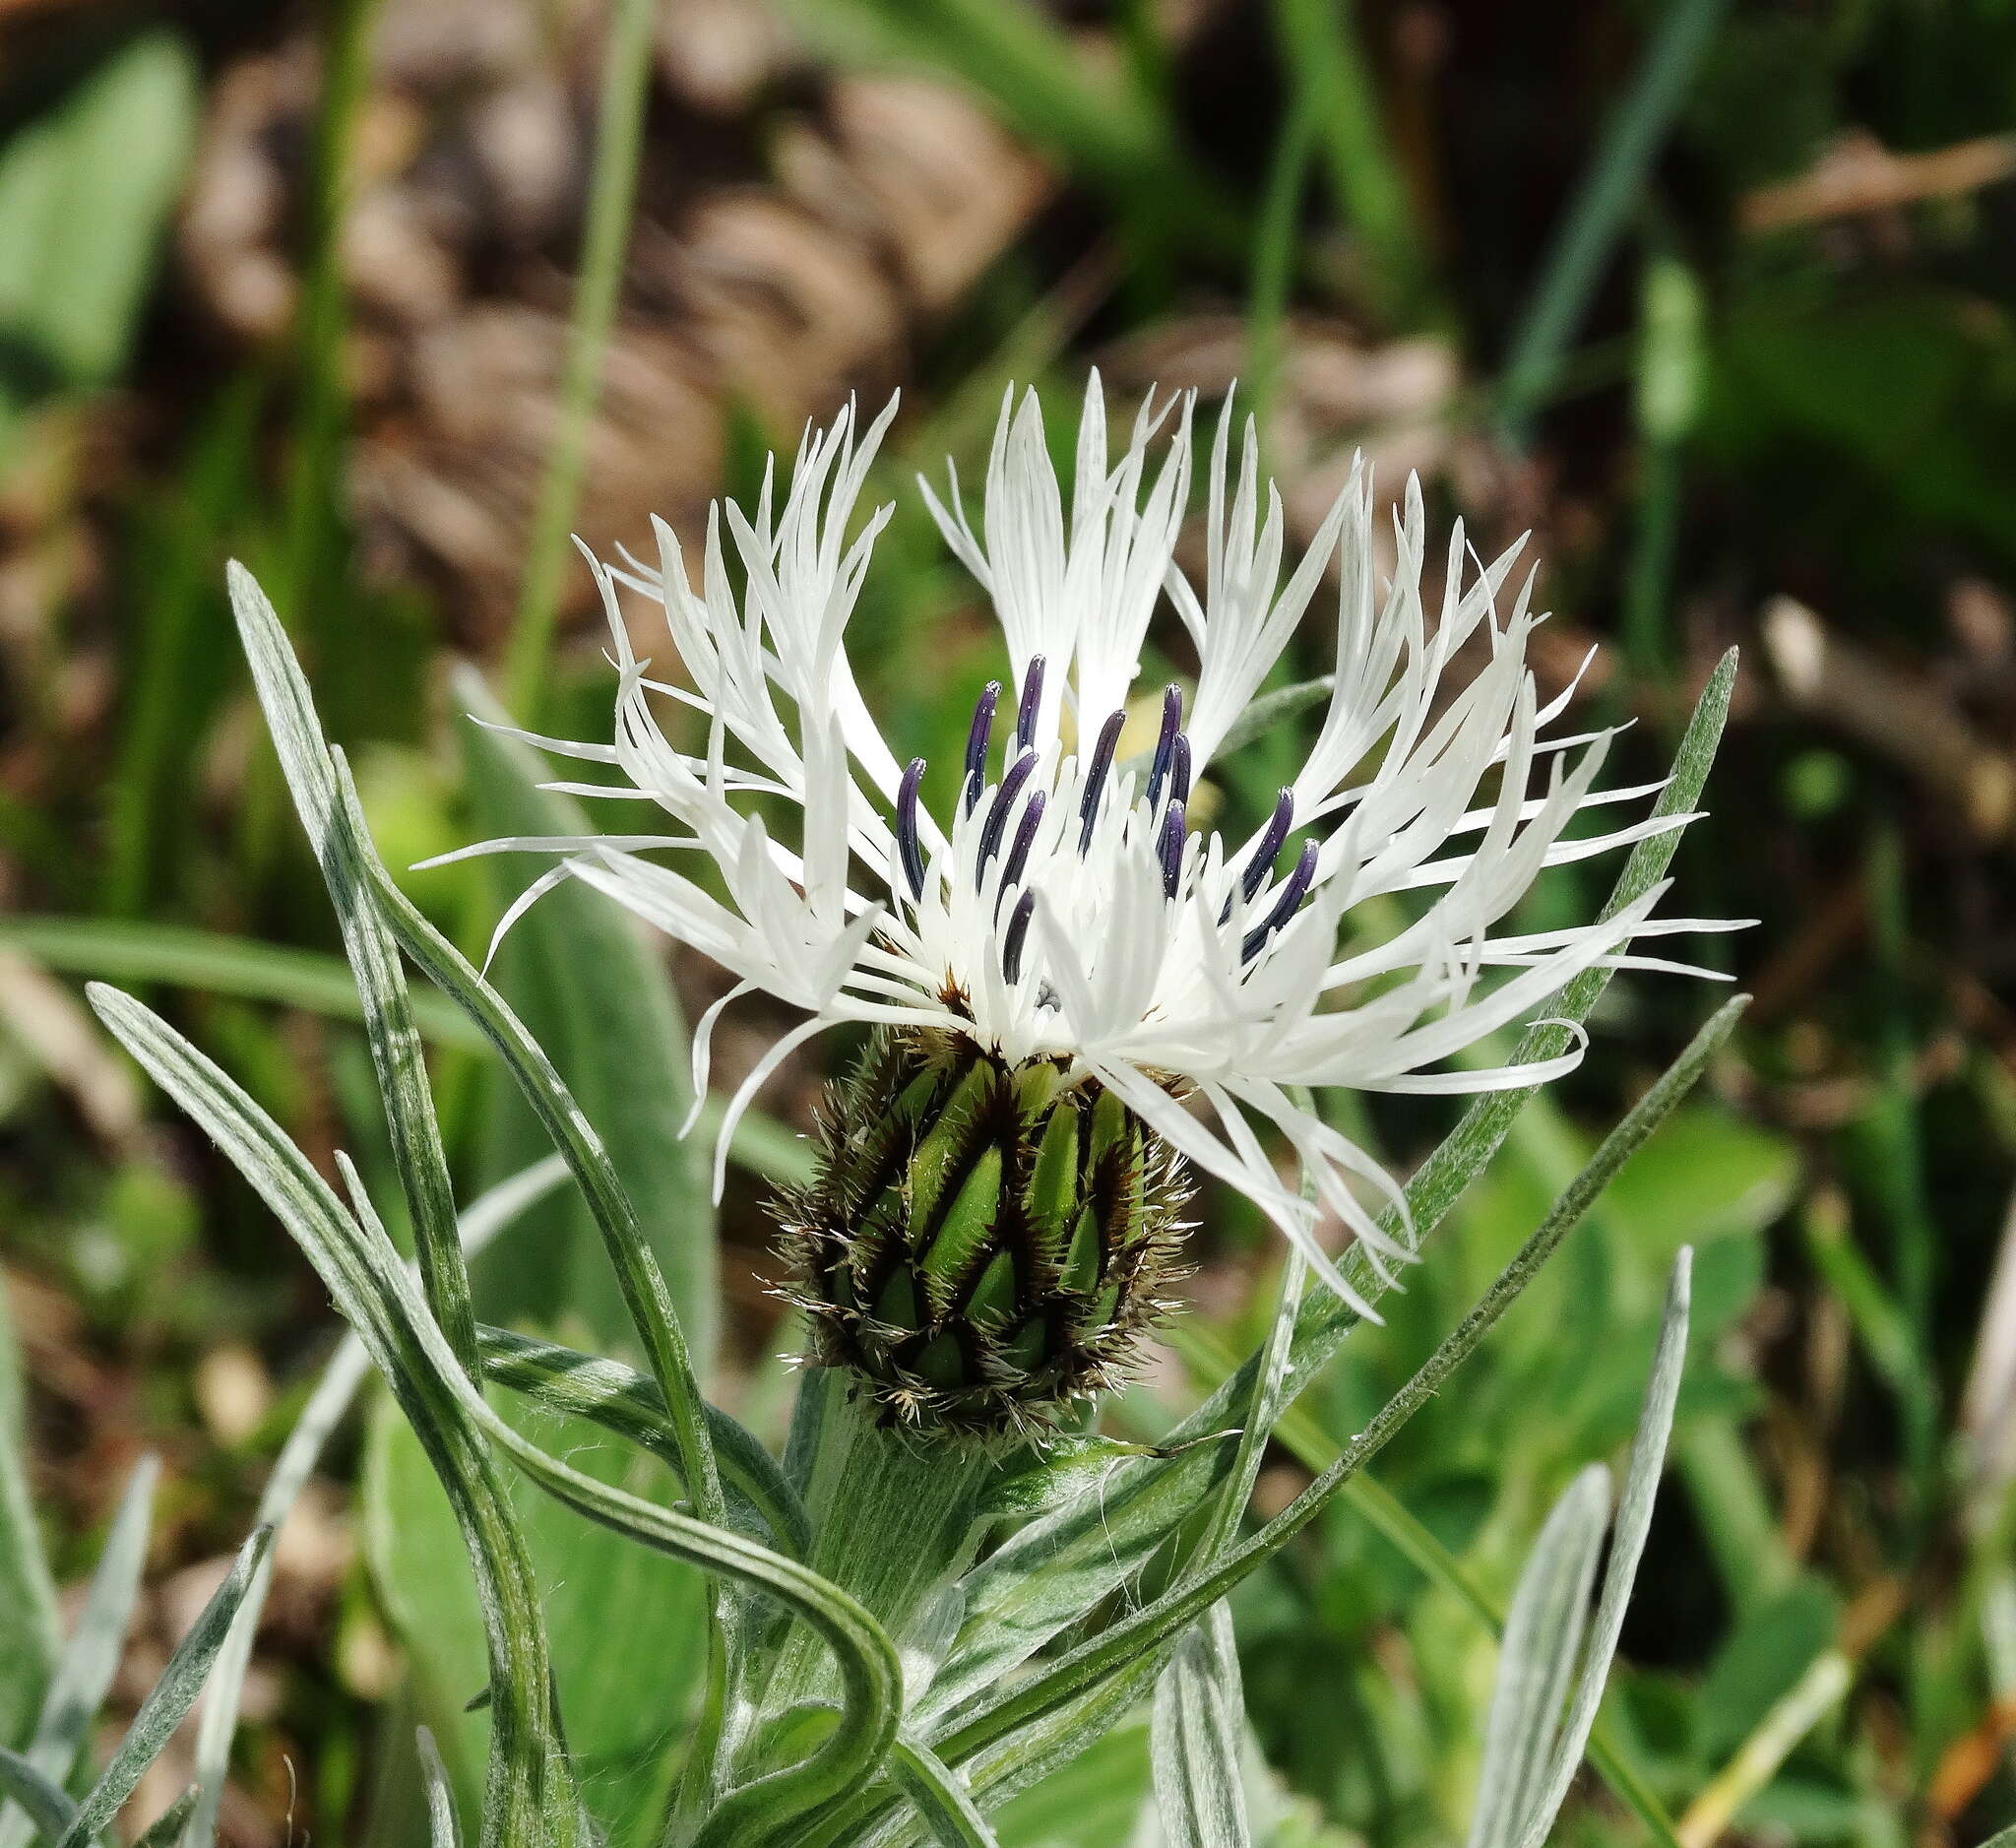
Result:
pixel 1537 1662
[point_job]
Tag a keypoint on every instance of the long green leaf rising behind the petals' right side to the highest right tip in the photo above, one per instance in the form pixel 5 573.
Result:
pixel 1065 1563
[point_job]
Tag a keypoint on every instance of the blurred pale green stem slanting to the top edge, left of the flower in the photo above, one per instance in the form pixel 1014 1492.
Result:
pixel 604 243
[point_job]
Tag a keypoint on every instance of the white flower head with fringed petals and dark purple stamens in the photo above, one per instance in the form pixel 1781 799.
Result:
pixel 1065 910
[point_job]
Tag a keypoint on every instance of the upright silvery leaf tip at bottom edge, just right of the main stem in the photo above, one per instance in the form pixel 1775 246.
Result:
pixel 1196 1740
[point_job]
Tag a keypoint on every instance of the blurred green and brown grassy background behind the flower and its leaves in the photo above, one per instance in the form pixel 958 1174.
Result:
pixel 386 297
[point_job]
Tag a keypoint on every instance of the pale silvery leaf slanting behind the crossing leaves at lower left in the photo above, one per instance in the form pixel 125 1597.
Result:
pixel 346 1371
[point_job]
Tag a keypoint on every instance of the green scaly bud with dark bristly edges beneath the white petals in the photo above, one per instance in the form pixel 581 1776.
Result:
pixel 983 1244
